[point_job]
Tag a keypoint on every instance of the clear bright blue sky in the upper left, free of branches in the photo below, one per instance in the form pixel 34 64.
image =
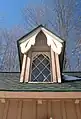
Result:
pixel 11 11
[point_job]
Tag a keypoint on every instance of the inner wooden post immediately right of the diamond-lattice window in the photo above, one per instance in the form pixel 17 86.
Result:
pixel 53 66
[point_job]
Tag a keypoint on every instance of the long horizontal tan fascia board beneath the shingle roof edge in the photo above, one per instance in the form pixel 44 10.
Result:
pixel 40 95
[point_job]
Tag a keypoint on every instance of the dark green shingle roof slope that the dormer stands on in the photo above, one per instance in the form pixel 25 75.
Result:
pixel 10 82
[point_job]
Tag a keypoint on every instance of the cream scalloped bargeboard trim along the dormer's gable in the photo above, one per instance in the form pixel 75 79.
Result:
pixel 52 40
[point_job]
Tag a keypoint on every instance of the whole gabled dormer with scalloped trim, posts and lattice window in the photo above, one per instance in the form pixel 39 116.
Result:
pixel 41 54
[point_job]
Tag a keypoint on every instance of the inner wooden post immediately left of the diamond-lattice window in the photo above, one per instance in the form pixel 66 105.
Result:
pixel 27 71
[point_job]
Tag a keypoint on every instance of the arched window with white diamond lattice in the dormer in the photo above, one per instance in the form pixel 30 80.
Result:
pixel 41 68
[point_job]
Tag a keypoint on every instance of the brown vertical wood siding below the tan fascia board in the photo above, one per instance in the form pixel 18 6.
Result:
pixel 32 109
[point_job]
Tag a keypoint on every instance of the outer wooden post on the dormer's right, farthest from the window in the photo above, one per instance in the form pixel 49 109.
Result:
pixel 58 68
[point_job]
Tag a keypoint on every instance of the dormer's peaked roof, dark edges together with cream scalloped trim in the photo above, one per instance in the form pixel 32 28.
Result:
pixel 25 42
